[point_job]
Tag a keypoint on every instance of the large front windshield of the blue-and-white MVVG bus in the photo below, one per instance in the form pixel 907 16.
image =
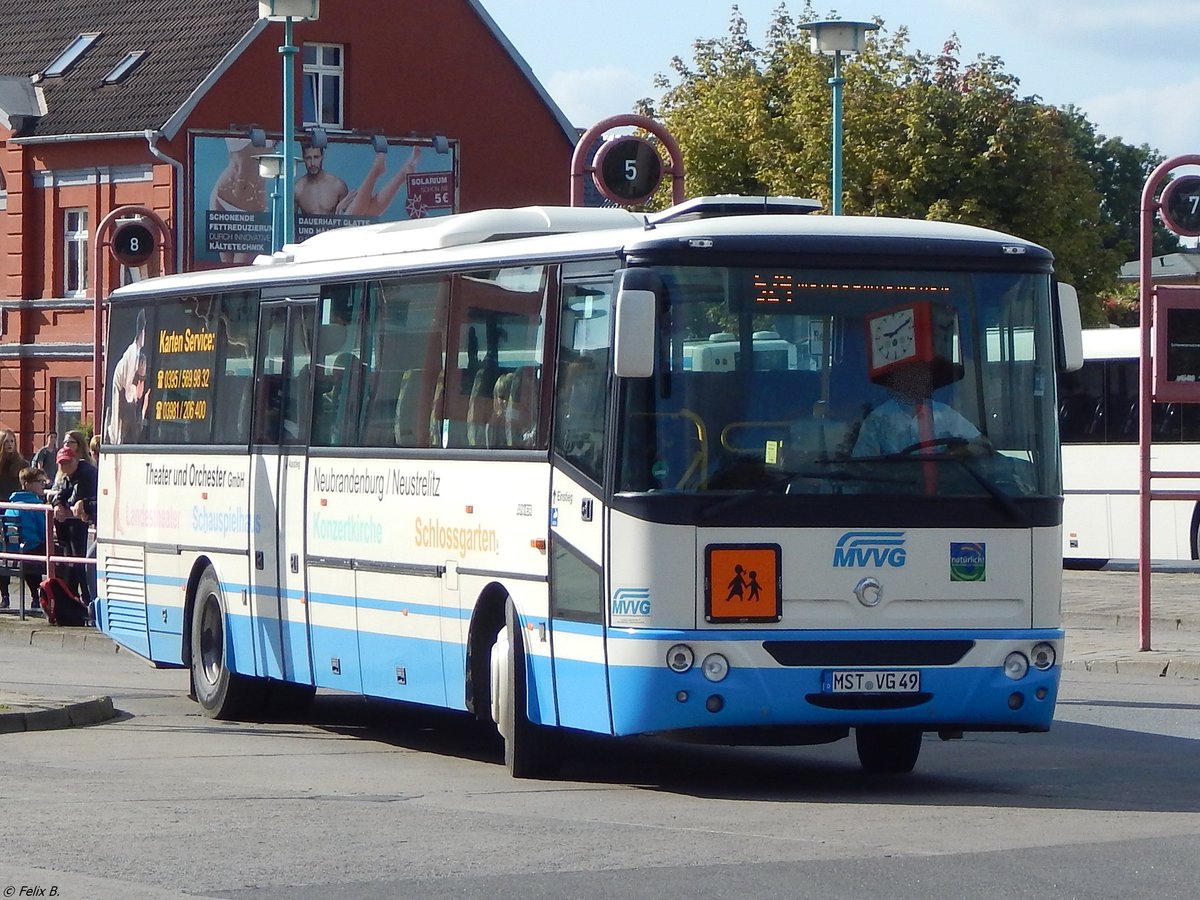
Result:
pixel 877 382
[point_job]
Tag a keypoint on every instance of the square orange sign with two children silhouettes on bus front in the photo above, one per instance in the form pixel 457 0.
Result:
pixel 743 583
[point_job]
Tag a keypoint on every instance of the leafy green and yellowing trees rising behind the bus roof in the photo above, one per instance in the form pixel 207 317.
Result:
pixel 925 137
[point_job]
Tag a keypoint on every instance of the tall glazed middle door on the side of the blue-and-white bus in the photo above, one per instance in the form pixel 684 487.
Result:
pixel 283 403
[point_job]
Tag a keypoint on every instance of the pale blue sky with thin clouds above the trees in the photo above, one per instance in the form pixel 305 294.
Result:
pixel 1132 67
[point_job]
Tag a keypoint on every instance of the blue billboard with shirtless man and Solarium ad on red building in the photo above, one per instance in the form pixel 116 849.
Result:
pixel 351 182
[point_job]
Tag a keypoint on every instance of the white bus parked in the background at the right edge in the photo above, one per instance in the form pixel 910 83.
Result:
pixel 1099 419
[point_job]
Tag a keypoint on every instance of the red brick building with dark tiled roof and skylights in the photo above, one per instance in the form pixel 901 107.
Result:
pixel 106 104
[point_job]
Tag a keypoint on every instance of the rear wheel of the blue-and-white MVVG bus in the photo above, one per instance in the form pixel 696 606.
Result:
pixel 221 693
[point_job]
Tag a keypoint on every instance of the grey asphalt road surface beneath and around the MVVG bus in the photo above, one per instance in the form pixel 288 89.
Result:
pixel 365 801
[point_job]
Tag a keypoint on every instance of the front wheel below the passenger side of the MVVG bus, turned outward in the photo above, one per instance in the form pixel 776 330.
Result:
pixel 530 749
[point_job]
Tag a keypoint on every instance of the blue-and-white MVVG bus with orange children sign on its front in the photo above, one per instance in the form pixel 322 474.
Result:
pixel 595 472
